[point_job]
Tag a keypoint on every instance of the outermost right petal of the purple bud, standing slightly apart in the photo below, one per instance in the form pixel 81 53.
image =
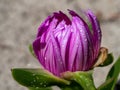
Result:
pixel 96 32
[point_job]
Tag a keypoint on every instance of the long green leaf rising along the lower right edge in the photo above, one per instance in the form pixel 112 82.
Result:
pixel 111 77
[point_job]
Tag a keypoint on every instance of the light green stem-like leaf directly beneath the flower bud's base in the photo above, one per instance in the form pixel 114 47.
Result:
pixel 84 79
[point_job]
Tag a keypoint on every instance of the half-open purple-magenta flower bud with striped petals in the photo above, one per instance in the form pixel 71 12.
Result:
pixel 63 44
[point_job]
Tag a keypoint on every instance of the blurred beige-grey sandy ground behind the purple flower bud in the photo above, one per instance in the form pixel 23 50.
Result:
pixel 19 20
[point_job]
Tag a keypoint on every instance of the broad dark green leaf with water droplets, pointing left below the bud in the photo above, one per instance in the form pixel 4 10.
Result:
pixel 37 78
